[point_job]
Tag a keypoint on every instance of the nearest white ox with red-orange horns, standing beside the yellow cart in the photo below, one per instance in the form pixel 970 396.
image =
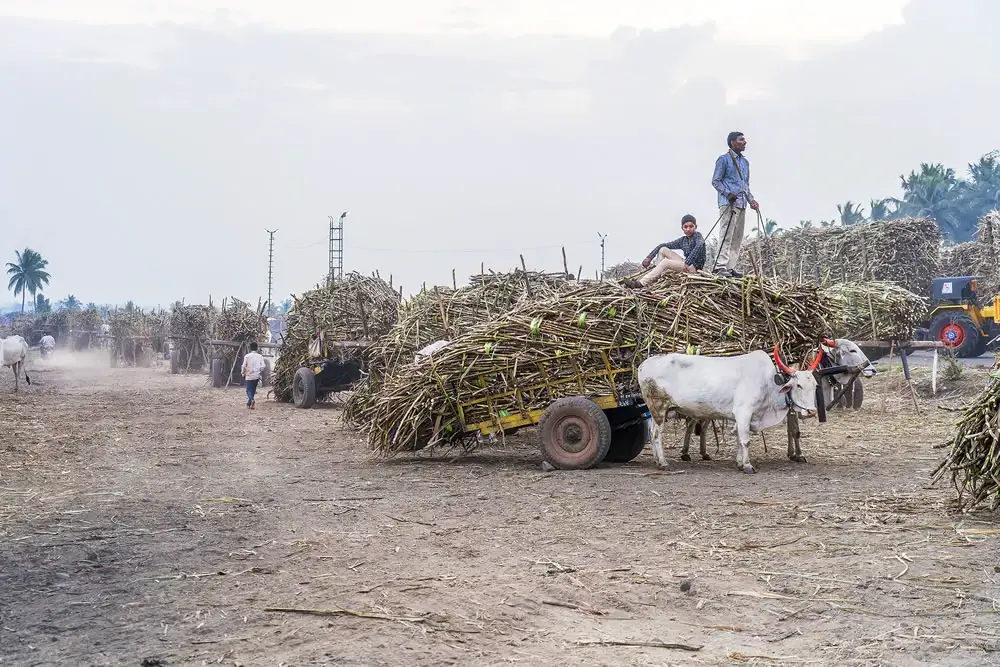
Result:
pixel 745 389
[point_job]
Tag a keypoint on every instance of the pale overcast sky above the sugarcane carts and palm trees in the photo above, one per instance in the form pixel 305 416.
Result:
pixel 145 146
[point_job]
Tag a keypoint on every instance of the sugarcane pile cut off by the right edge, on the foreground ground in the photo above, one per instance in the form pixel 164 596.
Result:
pixel 974 454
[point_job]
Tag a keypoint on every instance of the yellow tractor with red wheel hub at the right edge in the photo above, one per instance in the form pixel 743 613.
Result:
pixel 957 318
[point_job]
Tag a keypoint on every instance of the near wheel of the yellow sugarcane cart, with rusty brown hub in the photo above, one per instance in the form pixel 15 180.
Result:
pixel 560 424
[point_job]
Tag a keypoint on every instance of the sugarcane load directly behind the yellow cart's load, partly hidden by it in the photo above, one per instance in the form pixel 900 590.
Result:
pixel 442 313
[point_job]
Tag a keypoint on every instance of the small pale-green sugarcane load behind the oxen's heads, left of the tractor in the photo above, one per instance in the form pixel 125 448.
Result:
pixel 874 310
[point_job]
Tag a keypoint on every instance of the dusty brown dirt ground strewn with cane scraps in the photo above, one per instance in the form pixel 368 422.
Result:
pixel 148 519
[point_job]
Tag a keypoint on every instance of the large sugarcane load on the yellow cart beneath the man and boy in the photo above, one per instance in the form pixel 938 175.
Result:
pixel 562 346
